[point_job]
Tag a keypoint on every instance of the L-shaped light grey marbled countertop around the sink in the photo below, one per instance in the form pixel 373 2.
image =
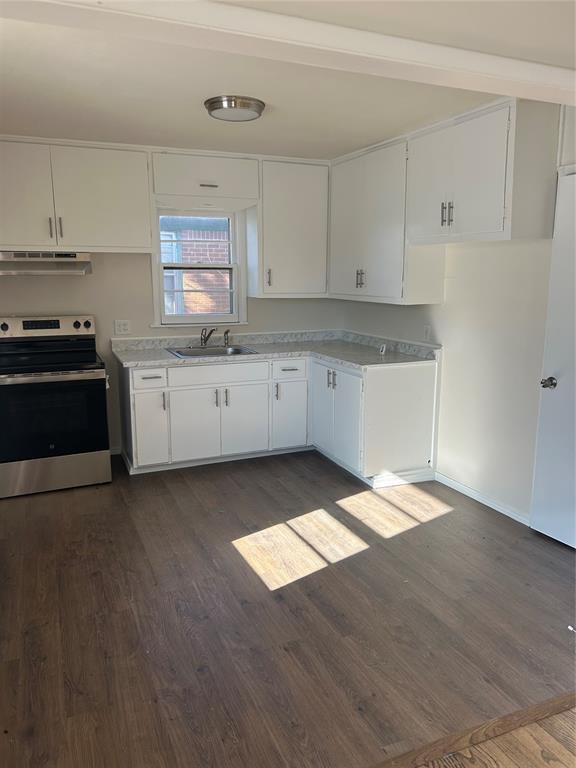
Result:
pixel 337 352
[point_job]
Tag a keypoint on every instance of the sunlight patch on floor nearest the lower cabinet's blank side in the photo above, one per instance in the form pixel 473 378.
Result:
pixel 391 511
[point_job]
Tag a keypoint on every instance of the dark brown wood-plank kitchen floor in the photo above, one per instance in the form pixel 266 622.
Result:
pixel 134 635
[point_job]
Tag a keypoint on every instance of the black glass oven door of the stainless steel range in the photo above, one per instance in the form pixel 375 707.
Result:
pixel 52 414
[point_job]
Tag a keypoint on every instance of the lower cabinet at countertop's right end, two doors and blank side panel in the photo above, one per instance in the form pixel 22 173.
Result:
pixel 379 422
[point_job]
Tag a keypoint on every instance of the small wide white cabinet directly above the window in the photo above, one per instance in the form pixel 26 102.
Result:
pixel 205 176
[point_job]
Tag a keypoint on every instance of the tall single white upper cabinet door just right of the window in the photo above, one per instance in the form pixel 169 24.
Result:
pixel 294 227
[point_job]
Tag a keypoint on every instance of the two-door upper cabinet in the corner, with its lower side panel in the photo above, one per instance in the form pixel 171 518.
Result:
pixel 369 260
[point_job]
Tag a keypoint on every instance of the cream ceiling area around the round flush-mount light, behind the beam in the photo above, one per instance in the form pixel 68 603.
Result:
pixel 59 82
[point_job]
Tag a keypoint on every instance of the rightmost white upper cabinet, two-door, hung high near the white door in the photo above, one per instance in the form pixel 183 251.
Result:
pixel 487 176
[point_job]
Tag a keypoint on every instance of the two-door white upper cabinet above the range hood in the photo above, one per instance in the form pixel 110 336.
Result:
pixel 73 198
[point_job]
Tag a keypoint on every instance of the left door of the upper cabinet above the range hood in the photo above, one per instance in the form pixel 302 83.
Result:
pixel 26 200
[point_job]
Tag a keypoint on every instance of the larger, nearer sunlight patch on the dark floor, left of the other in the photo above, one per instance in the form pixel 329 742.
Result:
pixel 289 551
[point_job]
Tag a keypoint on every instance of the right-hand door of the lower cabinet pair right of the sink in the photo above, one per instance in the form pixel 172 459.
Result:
pixel 347 415
